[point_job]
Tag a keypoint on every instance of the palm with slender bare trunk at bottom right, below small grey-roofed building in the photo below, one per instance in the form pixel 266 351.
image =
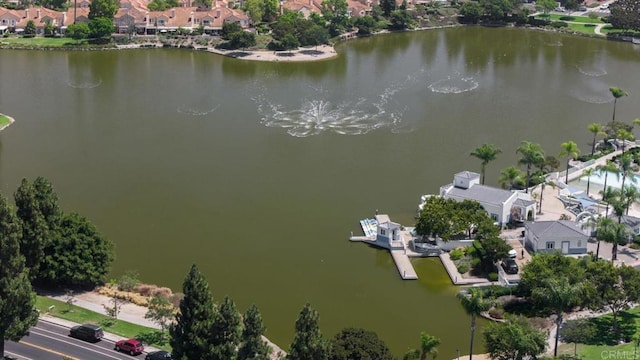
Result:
pixel 559 295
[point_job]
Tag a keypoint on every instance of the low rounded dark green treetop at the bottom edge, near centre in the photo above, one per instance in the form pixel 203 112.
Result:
pixel 358 344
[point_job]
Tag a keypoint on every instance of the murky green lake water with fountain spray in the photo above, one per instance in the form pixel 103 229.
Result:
pixel 258 172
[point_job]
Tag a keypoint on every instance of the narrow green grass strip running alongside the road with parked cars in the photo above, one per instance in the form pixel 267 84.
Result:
pixel 81 315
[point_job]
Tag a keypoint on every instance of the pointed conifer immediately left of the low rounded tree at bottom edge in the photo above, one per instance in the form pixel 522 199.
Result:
pixel 308 343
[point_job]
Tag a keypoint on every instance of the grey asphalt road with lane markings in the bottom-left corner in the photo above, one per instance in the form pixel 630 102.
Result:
pixel 48 341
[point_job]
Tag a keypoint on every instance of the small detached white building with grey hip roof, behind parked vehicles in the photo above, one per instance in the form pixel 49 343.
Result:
pixel 565 236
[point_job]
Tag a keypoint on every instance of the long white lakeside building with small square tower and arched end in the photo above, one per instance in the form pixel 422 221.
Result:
pixel 503 206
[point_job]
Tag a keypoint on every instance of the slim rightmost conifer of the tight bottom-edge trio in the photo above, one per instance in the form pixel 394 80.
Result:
pixel 253 346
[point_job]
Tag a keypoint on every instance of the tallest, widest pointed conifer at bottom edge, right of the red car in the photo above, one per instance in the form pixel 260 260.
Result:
pixel 191 331
